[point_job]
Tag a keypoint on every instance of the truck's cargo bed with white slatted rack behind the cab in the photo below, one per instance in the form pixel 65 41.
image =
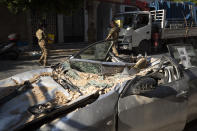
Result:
pixel 169 28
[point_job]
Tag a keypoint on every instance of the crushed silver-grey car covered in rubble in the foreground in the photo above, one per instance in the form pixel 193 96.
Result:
pixel 94 90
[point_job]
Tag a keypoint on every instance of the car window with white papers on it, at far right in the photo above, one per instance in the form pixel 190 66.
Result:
pixel 184 54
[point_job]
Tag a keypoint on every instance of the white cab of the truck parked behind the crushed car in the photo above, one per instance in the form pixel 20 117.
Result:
pixel 135 30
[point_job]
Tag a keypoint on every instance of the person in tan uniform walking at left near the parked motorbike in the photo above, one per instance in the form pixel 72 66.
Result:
pixel 42 43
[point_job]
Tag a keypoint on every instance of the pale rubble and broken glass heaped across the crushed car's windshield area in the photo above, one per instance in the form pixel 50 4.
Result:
pixel 87 83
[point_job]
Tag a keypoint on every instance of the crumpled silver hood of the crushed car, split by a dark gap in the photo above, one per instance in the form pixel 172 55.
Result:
pixel 14 112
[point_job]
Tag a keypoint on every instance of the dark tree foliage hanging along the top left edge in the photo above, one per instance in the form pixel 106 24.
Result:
pixel 43 6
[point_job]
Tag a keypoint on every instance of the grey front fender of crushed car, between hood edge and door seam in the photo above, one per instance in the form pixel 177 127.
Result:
pixel 100 114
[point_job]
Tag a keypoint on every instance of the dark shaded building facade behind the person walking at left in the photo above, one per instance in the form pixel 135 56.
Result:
pixel 89 24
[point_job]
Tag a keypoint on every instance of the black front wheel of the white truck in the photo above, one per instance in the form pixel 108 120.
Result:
pixel 145 46
